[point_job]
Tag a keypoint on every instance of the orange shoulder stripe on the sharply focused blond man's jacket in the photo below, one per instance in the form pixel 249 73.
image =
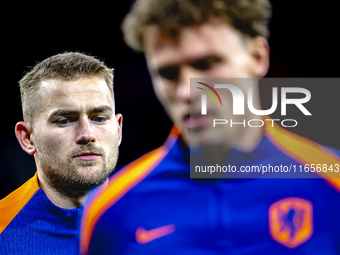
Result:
pixel 11 205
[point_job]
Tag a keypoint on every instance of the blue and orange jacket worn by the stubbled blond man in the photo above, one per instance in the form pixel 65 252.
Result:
pixel 31 224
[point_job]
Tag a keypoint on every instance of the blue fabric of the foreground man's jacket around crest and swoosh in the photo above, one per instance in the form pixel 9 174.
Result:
pixel 216 216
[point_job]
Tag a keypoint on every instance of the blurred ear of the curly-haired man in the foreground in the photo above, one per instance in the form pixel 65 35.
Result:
pixel 259 50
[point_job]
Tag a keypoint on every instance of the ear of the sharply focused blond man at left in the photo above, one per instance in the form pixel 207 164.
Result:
pixel 23 131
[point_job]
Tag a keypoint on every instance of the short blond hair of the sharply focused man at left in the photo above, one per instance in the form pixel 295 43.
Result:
pixel 64 66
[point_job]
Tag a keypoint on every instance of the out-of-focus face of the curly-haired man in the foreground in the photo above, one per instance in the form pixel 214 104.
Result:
pixel 212 50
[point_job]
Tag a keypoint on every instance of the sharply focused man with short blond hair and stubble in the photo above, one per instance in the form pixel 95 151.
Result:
pixel 71 128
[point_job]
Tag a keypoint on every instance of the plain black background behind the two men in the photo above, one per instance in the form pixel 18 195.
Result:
pixel 303 44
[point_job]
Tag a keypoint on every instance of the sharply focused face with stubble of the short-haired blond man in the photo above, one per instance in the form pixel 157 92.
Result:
pixel 76 133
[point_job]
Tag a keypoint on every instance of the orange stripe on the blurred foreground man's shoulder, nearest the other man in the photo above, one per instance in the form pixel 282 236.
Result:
pixel 119 185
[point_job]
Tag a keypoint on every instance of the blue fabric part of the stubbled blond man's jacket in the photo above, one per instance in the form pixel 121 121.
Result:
pixel 42 228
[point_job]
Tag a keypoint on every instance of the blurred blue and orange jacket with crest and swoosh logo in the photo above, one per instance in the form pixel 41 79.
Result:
pixel 152 206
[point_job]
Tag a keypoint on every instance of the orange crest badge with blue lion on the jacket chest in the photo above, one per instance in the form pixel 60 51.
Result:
pixel 291 221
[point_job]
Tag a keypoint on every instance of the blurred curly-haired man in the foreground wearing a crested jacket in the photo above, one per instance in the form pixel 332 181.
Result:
pixel 152 206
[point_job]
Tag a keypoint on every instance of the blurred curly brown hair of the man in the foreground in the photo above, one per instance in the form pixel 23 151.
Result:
pixel 251 17
